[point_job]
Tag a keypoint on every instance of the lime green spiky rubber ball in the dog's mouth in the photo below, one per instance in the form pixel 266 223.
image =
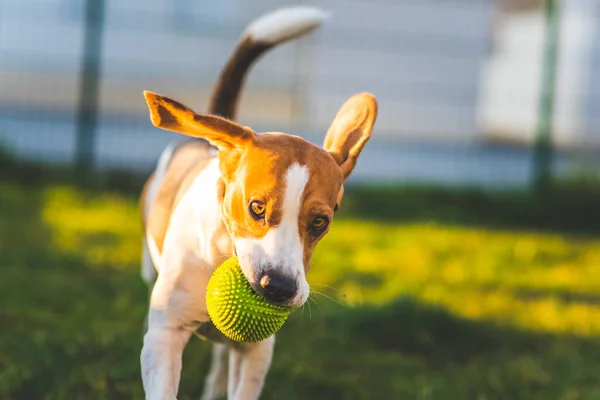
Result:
pixel 236 310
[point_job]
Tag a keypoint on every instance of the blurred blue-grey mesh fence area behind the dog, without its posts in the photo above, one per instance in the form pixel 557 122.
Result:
pixel 449 75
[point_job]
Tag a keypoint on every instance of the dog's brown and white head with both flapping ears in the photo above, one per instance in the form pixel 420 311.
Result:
pixel 278 191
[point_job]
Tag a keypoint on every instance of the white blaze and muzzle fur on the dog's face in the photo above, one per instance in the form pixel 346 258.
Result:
pixel 281 247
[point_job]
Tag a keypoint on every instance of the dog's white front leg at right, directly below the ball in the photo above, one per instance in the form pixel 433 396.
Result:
pixel 248 367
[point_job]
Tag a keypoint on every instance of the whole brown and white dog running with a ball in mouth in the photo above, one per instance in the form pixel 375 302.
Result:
pixel 198 208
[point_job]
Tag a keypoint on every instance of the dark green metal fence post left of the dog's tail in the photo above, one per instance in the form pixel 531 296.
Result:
pixel 87 112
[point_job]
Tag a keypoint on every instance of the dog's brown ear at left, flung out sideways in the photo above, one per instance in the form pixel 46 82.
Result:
pixel 171 115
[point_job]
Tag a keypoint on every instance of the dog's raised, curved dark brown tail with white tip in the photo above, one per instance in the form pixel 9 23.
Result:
pixel 261 35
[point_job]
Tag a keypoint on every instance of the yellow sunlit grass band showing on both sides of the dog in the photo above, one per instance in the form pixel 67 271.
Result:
pixel 535 281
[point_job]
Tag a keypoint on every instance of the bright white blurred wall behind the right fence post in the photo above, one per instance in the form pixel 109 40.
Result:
pixel 512 76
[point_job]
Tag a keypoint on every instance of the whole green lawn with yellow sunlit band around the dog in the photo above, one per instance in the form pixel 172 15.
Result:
pixel 423 294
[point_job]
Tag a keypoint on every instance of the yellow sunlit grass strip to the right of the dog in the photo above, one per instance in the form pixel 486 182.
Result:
pixel 535 281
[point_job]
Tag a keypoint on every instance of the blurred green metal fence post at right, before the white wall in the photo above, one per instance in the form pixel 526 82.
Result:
pixel 542 156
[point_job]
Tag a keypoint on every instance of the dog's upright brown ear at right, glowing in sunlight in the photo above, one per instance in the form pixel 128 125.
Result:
pixel 350 130
